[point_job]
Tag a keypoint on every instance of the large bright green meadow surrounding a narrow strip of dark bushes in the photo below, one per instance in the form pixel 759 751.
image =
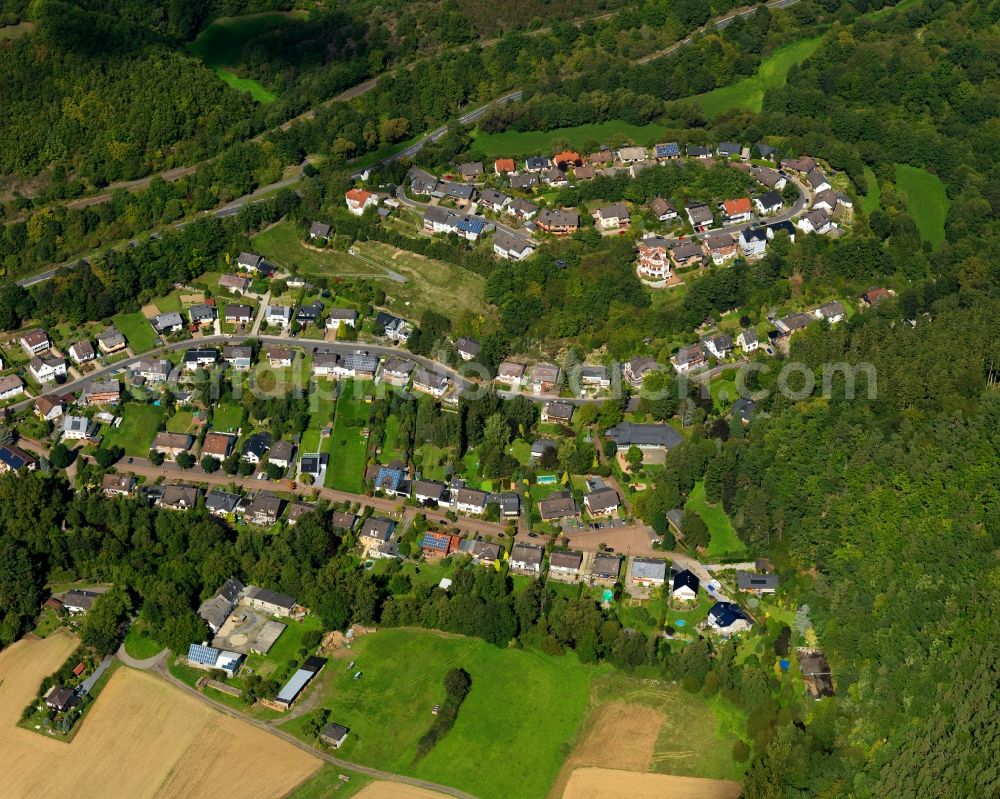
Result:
pixel 537 701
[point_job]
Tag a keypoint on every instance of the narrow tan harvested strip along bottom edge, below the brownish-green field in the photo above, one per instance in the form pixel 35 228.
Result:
pixel 603 783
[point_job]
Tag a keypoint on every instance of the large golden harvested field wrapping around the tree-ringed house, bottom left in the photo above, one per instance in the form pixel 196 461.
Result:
pixel 173 744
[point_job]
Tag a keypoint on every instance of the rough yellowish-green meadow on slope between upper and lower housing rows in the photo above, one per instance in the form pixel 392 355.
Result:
pixel 429 284
